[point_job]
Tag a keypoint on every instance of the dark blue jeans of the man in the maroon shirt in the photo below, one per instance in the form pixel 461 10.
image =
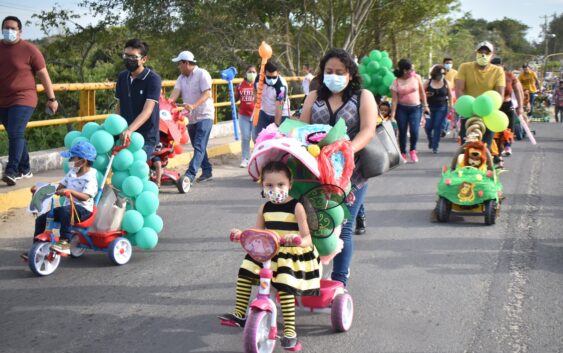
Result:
pixel 15 120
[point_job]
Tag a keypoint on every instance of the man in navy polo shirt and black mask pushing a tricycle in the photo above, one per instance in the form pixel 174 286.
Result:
pixel 138 91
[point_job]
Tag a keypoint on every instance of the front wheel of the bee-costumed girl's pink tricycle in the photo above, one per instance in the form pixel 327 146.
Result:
pixel 256 332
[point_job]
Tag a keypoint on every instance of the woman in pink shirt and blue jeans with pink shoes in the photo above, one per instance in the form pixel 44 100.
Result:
pixel 408 100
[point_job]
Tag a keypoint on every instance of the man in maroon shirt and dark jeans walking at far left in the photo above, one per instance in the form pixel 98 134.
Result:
pixel 21 61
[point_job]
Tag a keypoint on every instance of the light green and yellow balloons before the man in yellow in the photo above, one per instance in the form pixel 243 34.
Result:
pixel 486 106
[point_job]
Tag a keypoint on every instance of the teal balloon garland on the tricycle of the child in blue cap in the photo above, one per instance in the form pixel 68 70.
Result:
pixel 130 176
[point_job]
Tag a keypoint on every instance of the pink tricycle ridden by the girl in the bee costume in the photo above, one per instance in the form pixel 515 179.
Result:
pixel 260 330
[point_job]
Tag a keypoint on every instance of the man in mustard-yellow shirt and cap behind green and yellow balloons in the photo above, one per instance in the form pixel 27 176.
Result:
pixel 477 77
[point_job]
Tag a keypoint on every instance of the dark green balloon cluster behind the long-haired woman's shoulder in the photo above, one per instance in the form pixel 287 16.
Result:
pixel 375 70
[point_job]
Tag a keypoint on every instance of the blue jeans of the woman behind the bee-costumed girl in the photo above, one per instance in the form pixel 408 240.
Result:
pixel 341 266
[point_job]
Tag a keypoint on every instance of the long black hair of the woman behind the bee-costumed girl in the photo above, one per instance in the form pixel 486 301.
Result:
pixel 354 85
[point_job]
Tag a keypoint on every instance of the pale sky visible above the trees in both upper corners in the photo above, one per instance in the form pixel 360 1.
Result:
pixel 526 11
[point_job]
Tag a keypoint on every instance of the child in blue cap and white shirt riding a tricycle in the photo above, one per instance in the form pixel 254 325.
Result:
pixel 80 185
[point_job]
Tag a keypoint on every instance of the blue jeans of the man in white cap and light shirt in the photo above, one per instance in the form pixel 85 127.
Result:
pixel 199 137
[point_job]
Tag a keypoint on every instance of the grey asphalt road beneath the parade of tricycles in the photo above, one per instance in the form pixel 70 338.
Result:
pixel 418 286
